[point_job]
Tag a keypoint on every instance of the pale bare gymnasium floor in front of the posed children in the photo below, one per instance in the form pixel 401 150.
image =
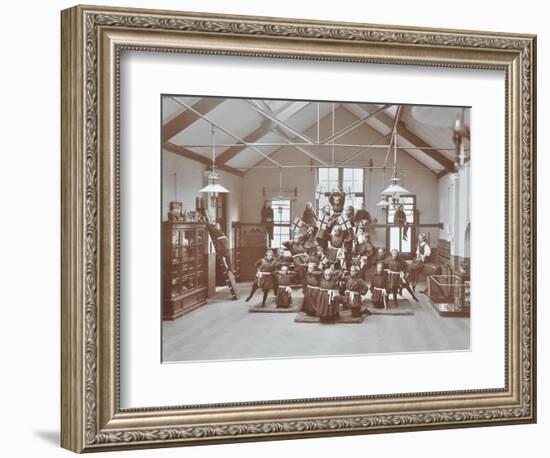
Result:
pixel 224 329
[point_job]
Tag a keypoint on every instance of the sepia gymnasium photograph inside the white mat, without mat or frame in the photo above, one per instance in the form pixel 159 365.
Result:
pixel 304 228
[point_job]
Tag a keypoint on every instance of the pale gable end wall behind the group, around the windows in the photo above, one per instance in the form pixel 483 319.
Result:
pixel 421 182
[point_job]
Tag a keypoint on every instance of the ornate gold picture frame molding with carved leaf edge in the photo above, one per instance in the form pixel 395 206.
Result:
pixel 92 40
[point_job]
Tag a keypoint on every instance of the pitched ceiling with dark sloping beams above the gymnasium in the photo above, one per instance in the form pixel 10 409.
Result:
pixel 425 131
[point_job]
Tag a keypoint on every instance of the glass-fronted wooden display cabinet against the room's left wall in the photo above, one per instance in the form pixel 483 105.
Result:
pixel 184 268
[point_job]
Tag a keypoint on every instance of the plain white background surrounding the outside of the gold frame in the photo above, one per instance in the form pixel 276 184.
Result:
pixel 29 176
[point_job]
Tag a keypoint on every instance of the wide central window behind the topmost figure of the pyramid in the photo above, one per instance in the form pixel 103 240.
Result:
pixel 350 180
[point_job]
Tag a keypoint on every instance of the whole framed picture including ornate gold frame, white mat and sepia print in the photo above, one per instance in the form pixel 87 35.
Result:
pixel 252 202
